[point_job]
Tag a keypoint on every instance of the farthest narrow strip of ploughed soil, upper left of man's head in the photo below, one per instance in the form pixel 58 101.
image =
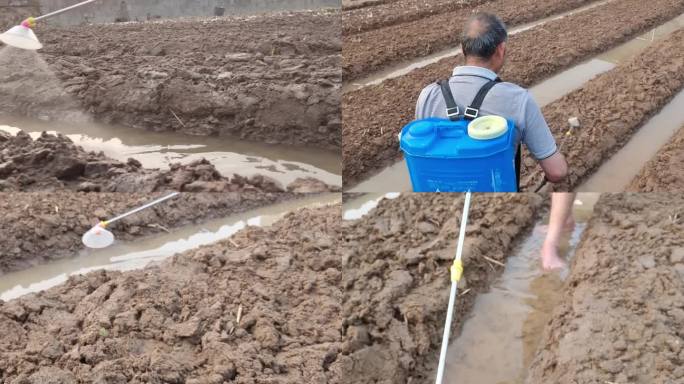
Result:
pixel 402 11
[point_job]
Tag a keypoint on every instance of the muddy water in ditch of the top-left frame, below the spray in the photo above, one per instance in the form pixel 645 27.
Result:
pixel 159 149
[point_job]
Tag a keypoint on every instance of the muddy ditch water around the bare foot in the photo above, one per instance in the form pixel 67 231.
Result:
pixel 499 338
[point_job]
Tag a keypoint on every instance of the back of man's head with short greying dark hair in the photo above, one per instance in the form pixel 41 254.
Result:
pixel 483 33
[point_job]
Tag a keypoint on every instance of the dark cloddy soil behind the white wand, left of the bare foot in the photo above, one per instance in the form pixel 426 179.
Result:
pixel 396 280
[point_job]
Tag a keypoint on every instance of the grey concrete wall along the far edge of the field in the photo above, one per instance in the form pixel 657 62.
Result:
pixel 107 11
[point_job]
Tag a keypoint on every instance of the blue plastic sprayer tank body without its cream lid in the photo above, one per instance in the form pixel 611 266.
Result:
pixel 442 157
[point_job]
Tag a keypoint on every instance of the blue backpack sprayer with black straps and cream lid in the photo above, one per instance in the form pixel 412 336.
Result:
pixel 465 152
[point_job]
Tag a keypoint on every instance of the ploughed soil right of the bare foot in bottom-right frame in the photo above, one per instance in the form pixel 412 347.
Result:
pixel 621 317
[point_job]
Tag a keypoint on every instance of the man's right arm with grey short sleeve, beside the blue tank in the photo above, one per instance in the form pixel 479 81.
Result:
pixel 541 144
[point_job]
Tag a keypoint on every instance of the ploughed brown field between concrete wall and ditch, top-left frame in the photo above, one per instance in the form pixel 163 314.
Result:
pixel 270 78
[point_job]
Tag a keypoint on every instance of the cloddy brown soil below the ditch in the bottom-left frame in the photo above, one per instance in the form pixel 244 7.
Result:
pixel 262 308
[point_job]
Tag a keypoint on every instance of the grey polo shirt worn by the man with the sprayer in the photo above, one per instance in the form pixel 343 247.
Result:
pixel 505 99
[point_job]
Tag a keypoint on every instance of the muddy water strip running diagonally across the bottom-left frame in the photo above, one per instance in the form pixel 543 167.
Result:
pixel 124 256
